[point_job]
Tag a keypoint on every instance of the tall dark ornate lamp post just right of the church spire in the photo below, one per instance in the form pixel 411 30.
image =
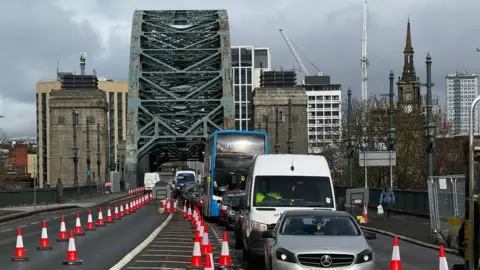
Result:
pixel 430 128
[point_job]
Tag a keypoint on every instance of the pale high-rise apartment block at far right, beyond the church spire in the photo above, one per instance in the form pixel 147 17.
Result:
pixel 462 89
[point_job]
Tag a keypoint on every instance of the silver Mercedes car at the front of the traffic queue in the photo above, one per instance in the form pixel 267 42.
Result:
pixel 318 239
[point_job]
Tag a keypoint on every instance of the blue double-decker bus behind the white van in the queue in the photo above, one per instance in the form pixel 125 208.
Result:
pixel 228 154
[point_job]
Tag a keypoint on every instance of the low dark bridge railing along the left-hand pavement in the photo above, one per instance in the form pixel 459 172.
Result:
pixel 27 196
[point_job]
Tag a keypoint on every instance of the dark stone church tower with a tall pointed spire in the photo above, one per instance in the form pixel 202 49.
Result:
pixel 409 84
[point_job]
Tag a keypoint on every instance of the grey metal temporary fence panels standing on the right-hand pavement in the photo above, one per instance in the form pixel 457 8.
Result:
pixel 446 196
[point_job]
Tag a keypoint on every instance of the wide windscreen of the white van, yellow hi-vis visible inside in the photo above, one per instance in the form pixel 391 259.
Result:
pixel 292 191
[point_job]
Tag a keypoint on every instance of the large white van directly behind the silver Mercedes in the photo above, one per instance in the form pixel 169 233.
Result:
pixel 276 183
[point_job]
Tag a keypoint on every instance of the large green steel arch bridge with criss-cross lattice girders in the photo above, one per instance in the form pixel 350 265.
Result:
pixel 180 88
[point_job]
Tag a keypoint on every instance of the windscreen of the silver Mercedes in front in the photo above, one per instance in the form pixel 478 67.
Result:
pixel 319 225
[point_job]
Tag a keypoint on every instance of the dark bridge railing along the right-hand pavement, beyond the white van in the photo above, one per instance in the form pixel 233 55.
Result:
pixel 406 201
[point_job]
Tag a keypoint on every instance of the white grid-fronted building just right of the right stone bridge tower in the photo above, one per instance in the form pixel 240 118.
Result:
pixel 324 112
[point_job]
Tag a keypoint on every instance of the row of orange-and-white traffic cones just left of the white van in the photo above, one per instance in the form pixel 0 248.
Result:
pixel 202 245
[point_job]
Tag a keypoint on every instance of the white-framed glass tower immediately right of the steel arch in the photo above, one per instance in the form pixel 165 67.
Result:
pixel 247 62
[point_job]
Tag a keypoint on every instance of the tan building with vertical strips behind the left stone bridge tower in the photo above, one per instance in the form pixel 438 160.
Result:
pixel 117 95
